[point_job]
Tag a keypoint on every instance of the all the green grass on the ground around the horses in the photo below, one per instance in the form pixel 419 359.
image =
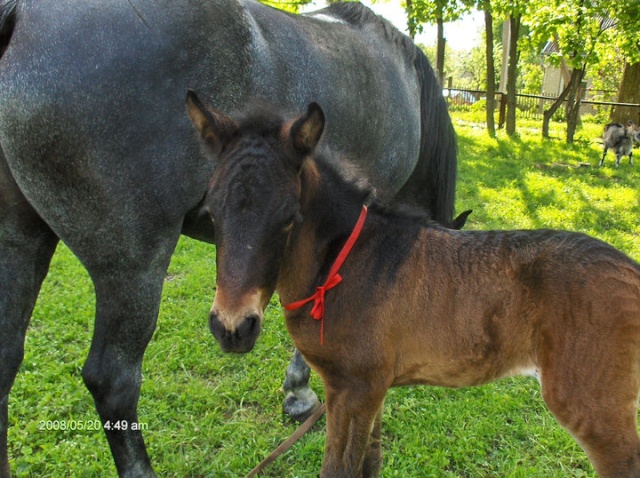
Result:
pixel 208 414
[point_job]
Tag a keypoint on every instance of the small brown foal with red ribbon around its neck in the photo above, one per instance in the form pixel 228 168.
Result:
pixel 417 303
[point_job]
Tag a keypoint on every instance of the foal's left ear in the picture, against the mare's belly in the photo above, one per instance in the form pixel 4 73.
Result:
pixel 215 128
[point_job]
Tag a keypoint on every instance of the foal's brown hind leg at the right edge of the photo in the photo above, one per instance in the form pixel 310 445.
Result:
pixel 594 396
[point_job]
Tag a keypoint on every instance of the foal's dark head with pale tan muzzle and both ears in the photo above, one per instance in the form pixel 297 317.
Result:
pixel 253 200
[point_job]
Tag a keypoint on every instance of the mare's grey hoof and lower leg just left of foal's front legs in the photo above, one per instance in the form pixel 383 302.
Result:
pixel 300 401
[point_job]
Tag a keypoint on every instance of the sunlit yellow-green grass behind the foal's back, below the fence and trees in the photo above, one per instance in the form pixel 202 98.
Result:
pixel 528 182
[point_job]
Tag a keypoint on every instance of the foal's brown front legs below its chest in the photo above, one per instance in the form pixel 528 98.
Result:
pixel 353 405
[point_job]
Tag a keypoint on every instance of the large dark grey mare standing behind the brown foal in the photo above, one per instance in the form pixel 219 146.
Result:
pixel 96 150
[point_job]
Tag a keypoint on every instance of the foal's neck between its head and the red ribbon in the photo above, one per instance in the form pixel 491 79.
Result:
pixel 330 209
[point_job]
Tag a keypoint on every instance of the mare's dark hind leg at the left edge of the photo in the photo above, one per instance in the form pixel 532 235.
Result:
pixel 26 247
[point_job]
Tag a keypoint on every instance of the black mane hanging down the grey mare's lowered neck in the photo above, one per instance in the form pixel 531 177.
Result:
pixel 433 181
